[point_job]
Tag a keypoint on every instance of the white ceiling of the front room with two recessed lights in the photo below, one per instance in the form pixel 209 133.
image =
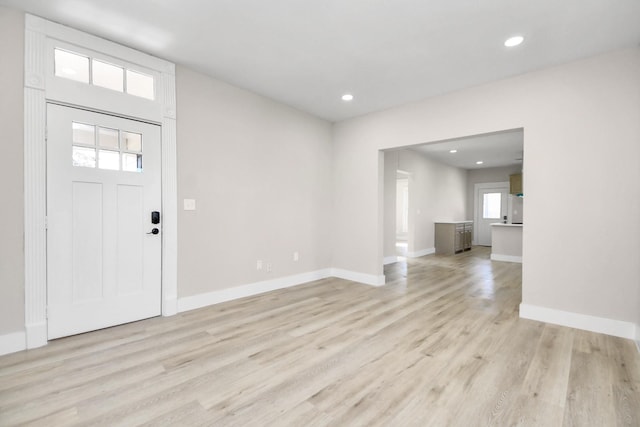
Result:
pixel 307 53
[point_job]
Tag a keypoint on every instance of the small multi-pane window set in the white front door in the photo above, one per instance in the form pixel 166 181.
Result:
pixel 105 148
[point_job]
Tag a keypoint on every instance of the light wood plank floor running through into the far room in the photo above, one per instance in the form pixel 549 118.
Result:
pixel 441 344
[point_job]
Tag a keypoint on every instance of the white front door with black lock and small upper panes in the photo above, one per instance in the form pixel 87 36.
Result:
pixel 103 183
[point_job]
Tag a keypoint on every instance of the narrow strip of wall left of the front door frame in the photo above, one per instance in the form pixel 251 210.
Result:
pixel 11 172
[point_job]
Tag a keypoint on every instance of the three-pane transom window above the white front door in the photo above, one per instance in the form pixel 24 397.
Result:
pixel 84 69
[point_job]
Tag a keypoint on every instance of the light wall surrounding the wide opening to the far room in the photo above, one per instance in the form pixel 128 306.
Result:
pixel 581 148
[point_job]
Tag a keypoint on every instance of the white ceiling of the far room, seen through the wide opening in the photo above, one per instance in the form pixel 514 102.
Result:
pixel 494 150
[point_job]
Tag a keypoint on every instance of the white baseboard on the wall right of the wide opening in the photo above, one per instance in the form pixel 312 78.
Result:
pixel 601 325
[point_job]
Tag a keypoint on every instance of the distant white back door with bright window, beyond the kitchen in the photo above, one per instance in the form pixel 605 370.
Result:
pixel 491 207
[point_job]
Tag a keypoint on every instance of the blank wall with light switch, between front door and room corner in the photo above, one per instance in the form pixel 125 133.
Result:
pixel 261 176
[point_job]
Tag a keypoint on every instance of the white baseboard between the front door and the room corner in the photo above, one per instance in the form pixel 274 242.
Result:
pixel 216 297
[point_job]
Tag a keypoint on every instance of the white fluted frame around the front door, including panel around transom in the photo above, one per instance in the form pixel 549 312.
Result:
pixel 40 86
